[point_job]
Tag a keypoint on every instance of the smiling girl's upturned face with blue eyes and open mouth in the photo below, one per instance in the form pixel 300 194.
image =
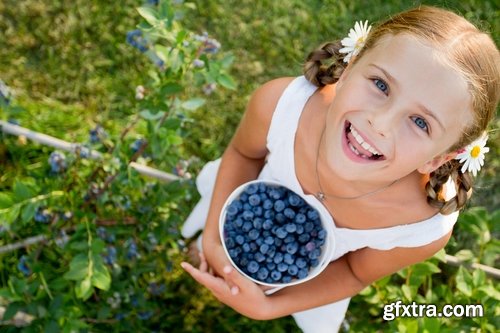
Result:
pixel 397 110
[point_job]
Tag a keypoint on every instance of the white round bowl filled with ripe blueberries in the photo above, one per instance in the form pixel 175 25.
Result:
pixel 273 236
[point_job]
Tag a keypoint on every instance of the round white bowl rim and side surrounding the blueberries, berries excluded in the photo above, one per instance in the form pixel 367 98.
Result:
pixel 327 248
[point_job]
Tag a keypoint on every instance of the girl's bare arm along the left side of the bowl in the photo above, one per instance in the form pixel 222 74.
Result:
pixel 241 162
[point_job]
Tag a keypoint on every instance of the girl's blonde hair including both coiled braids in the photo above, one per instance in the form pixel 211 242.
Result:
pixel 465 48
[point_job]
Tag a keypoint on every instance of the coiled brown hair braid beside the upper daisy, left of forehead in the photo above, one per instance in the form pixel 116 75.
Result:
pixel 321 74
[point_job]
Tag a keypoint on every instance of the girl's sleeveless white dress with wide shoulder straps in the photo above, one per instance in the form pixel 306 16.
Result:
pixel 280 167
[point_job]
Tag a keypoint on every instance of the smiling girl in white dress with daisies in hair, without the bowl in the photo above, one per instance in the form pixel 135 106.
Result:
pixel 375 142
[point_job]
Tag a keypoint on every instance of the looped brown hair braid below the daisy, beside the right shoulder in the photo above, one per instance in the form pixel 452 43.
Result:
pixel 434 187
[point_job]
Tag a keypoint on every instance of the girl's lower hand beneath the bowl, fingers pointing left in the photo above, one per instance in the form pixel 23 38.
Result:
pixel 232 289
